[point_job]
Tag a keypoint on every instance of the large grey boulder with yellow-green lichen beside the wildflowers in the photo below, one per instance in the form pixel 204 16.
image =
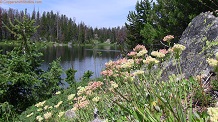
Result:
pixel 201 41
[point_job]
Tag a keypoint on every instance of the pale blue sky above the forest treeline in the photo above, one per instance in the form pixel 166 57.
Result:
pixel 95 13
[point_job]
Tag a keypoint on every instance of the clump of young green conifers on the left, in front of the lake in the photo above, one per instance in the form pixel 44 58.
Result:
pixel 23 82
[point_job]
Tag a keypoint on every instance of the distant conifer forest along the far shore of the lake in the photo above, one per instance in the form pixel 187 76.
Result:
pixel 57 27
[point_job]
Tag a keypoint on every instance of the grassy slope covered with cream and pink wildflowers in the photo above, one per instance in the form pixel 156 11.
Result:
pixel 131 89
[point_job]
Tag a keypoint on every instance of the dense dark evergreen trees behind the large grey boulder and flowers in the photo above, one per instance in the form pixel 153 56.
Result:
pixel 151 21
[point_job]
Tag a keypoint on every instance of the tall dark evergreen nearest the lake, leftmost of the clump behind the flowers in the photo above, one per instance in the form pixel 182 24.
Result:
pixel 136 22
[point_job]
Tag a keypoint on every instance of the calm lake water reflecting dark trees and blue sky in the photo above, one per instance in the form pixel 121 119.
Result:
pixel 81 58
